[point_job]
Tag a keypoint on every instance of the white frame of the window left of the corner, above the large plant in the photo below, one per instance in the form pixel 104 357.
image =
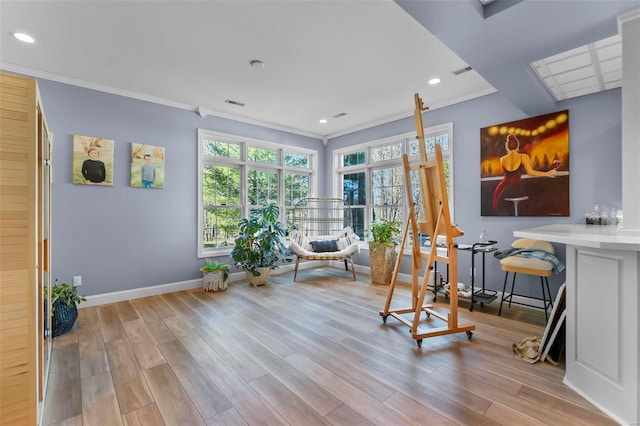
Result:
pixel 245 165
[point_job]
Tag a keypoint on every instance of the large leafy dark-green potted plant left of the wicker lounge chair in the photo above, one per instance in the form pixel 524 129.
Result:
pixel 259 244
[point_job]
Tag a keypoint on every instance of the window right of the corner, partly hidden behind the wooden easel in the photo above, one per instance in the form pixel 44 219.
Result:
pixel 372 176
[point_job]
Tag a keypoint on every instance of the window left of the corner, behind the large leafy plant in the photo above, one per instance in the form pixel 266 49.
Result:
pixel 237 175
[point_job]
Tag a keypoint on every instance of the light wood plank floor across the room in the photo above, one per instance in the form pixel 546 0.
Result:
pixel 311 352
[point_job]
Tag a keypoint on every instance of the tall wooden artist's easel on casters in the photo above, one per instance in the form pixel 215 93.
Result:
pixel 435 206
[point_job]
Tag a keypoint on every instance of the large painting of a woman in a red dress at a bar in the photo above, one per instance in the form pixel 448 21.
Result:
pixel 524 167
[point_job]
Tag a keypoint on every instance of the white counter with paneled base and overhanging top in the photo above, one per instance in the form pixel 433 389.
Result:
pixel 602 339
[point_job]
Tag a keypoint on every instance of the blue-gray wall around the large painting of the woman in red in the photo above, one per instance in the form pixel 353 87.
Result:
pixel 595 175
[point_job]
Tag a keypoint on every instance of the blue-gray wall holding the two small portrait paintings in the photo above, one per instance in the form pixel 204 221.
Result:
pixel 119 237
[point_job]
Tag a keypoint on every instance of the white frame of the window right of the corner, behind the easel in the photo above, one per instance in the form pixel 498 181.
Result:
pixel 369 166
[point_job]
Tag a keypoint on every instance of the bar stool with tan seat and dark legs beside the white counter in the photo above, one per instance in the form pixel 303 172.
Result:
pixel 528 266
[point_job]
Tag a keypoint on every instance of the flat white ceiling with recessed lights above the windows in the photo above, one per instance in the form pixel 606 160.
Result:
pixel 322 58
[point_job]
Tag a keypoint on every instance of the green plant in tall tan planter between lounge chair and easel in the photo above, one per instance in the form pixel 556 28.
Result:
pixel 383 238
